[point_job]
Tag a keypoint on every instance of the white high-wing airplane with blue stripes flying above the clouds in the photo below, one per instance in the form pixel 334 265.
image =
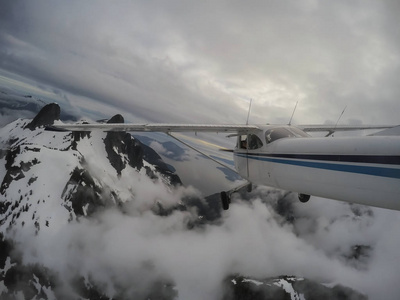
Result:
pixel 363 170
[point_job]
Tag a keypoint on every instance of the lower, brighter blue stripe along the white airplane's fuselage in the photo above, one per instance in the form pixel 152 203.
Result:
pixel 367 170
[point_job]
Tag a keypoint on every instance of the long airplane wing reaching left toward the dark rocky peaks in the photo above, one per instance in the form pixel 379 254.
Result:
pixel 155 127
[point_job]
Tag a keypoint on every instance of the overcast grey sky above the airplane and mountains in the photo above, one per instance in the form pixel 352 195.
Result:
pixel 201 61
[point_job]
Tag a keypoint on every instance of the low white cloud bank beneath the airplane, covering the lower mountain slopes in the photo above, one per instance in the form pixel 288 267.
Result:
pixel 131 250
